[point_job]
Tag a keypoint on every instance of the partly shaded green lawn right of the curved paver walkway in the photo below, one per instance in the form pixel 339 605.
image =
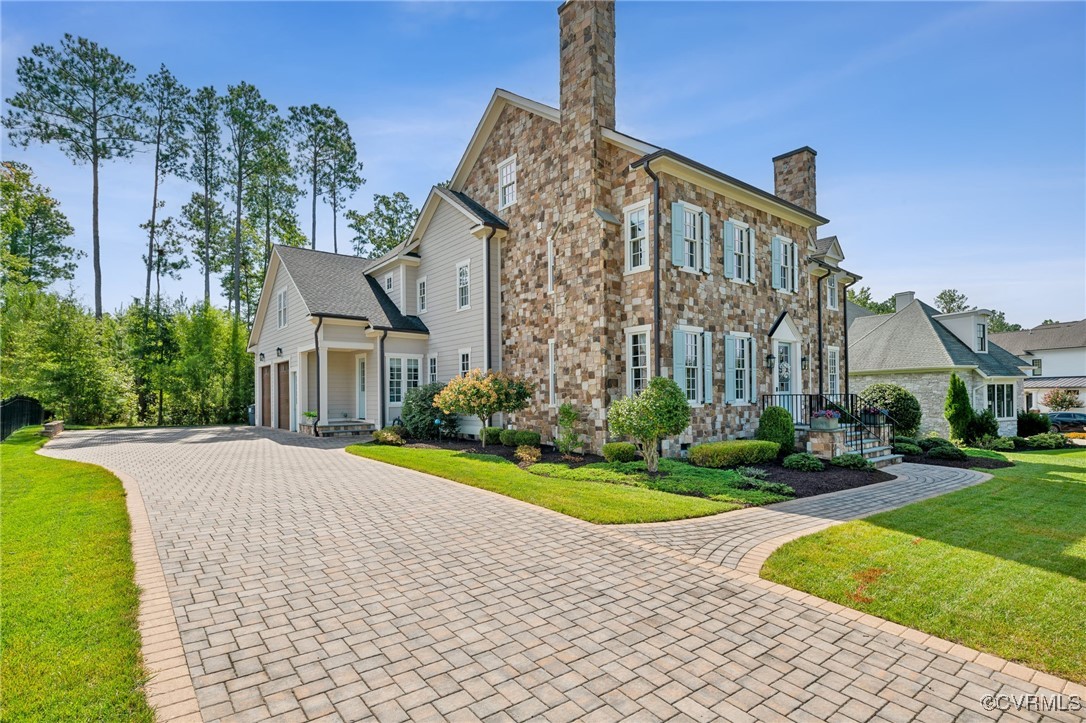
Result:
pixel 1000 567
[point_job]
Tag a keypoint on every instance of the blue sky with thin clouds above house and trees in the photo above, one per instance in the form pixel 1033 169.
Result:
pixel 951 136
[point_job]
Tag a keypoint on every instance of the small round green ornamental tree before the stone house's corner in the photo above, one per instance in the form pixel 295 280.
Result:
pixel 660 412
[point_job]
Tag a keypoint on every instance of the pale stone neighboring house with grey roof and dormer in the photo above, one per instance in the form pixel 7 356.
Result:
pixel 918 348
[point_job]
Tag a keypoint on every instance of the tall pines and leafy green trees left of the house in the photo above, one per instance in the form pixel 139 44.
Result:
pixel 248 164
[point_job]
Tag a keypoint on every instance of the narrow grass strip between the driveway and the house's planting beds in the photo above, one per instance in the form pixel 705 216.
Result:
pixel 597 502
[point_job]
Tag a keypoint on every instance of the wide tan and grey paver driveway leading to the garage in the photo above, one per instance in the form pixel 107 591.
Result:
pixel 309 585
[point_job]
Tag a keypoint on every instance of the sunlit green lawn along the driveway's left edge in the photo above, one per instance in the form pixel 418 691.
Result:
pixel 69 630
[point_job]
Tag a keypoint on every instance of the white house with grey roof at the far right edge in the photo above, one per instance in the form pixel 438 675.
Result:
pixel 1057 356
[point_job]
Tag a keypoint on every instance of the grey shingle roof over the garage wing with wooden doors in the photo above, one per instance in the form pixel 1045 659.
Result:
pixel 335 285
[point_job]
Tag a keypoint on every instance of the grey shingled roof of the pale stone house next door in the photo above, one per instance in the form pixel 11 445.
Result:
pixel 914 339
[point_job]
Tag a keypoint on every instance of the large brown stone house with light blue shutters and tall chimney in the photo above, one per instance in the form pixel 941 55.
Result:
pixel 582 259
